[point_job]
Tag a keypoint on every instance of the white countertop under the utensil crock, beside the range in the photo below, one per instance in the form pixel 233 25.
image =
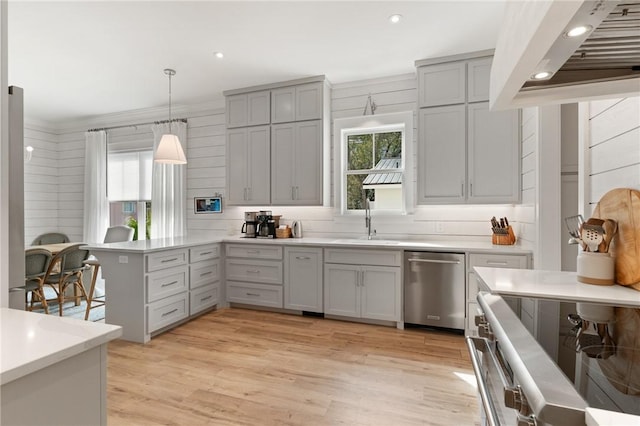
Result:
pixel 554 285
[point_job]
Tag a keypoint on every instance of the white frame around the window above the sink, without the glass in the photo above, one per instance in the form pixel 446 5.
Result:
pixel 343 127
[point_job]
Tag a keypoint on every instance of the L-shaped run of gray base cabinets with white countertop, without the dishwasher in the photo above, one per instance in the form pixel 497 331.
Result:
pixel 155 285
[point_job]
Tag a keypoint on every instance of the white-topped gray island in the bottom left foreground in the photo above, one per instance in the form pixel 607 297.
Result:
pixel 53 369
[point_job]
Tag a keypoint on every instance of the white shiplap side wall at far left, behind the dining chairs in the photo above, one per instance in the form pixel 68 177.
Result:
pixel 40 182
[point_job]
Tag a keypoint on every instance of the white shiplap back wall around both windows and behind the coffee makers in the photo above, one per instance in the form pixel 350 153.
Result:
pixel 206 175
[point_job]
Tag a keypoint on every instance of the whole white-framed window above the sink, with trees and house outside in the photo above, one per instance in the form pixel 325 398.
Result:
pixel 372 161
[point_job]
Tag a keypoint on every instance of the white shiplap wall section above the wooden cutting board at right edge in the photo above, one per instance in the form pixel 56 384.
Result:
pixel 612 157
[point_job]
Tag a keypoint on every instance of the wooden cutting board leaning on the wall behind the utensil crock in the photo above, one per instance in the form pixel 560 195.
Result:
pixel 623 206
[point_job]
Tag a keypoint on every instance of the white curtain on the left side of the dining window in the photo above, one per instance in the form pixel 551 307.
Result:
pixel 96 204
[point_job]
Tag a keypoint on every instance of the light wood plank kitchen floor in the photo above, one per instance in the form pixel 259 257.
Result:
pixel 244 367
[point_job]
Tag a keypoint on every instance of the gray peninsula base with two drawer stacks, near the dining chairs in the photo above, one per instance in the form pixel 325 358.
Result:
pixel 150 292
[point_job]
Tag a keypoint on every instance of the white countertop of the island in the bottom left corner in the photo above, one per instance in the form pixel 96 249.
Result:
pixel 31 341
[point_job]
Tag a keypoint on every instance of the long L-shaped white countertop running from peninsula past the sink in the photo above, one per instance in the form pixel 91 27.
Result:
pixel 147 246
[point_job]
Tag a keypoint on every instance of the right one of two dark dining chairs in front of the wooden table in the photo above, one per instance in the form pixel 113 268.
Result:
pixel 66 269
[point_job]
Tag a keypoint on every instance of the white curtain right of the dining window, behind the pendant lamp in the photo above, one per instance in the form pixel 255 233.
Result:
pixel 168 187
